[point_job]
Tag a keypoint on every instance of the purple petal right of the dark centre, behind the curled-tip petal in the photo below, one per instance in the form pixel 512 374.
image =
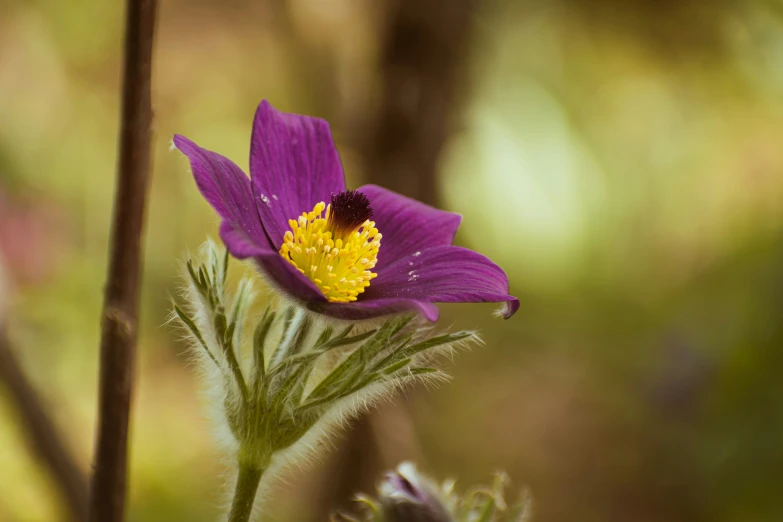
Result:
pixel 407 225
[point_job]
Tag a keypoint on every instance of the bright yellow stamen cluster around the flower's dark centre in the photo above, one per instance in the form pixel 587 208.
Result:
pixel 338 261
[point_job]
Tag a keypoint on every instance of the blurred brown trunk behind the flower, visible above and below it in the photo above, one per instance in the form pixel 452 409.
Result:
pixel 421 62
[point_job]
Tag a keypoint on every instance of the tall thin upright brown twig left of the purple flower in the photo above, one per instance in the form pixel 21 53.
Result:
pixel 119 319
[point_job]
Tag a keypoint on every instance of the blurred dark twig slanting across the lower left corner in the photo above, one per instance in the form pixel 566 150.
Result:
pixel 42 434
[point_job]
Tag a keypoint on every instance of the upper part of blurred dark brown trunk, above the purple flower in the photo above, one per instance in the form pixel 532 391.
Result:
pixel 422 59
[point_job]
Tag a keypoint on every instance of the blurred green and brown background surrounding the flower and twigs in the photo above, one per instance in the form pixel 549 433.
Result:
pixel 622 160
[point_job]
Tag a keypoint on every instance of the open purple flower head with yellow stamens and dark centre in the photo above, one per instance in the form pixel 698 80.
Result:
pixel 346 254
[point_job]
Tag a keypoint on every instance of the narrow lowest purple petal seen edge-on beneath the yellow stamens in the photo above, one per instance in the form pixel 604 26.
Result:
pixel 372 308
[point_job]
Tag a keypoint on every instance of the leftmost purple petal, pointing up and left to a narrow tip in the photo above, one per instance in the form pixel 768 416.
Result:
pixel 227 189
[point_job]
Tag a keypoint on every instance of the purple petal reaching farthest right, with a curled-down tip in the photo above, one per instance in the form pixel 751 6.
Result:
pixel 444 274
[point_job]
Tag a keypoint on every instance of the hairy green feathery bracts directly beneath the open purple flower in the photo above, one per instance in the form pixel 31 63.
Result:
pixel 285 378
